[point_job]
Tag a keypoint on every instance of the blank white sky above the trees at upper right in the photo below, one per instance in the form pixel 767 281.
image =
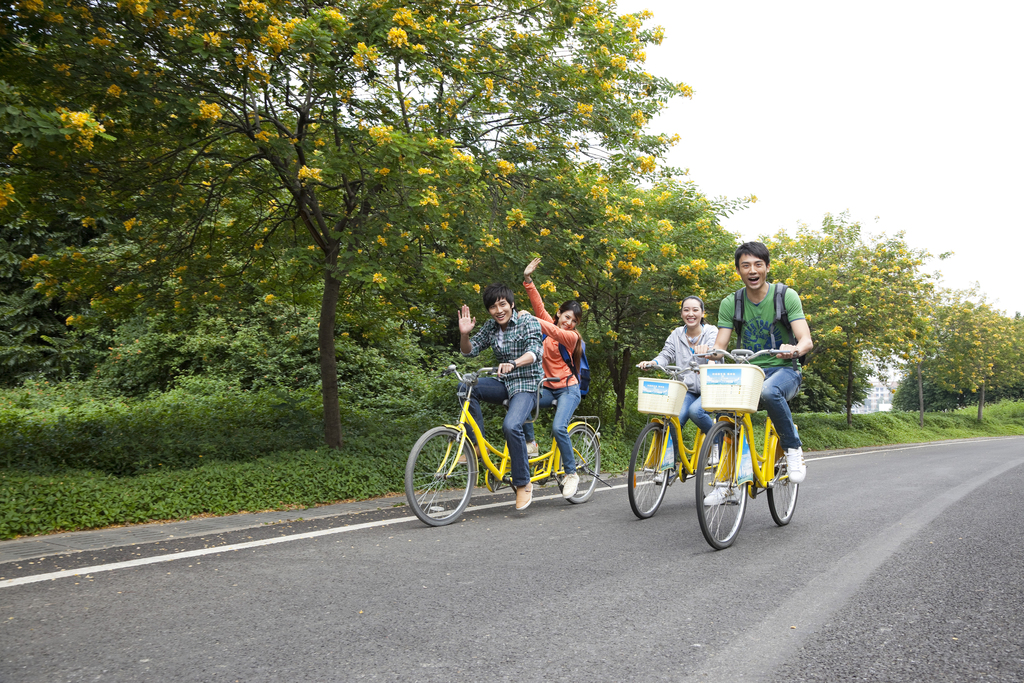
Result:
pixel 909 112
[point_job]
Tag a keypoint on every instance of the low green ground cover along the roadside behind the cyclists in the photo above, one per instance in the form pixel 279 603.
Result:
pixel 55 499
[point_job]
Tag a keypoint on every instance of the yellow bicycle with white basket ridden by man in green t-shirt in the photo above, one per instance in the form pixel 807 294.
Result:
pixel 730 458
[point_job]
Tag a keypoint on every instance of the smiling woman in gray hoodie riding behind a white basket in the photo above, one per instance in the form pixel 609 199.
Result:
pixel 695 336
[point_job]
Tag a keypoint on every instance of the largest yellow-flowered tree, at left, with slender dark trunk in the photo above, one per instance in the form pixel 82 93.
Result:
pixel 247 132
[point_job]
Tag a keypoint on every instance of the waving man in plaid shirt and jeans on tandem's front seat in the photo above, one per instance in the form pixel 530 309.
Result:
pixel 517 339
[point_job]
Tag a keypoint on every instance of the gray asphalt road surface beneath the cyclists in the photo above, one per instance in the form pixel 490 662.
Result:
pixel 902 565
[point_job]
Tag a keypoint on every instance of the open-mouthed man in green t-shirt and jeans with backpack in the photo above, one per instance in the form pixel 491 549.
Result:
pixel 760 332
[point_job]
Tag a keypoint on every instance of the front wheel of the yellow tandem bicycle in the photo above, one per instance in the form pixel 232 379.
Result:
pixel 441 477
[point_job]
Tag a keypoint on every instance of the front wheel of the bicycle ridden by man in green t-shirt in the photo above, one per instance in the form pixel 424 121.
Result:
pixel 720 523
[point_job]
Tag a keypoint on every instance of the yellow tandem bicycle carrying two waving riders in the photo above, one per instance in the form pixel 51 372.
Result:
pixel 443 466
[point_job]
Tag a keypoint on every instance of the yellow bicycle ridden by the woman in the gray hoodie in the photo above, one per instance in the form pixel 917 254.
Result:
pixel 660 455
